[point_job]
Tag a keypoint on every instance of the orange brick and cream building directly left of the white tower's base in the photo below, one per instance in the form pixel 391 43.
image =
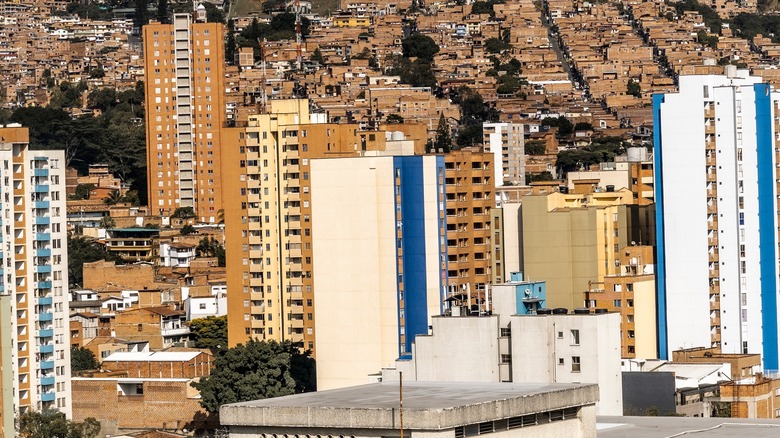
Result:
pixel 631 292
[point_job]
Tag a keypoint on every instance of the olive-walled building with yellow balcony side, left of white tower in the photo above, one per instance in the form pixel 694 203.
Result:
pixel 572 241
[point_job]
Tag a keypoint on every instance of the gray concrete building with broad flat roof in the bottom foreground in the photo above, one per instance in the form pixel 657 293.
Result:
pixel 430 410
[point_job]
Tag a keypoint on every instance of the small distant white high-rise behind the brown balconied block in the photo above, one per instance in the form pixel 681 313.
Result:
pixel 507 143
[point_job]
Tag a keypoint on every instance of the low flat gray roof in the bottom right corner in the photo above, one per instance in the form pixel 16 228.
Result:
pixel 662 427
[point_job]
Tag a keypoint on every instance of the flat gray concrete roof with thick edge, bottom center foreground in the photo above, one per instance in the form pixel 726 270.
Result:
pixel 427 405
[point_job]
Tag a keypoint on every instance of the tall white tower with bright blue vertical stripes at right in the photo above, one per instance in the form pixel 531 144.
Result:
pixel 716 152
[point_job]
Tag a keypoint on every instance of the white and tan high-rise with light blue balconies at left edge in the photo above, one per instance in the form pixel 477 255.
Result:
pixel 35 346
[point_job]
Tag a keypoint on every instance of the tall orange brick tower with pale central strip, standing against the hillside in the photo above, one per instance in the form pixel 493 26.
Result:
pixel 185 111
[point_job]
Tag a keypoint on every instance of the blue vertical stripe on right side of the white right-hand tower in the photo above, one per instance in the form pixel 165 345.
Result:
pixel 766 224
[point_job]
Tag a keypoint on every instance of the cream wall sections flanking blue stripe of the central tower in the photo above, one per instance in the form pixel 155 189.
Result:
pixel 356 274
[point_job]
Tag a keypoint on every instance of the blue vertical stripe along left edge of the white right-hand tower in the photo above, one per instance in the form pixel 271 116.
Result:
pixel 660 281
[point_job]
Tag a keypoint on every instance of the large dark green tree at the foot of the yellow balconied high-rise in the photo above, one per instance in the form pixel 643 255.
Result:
pixel 256 370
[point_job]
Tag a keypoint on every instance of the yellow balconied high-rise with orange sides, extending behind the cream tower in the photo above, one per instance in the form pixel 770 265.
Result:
pixel 268 213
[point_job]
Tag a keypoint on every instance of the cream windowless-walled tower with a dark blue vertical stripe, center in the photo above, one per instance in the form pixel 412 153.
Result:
pixel 379 229
